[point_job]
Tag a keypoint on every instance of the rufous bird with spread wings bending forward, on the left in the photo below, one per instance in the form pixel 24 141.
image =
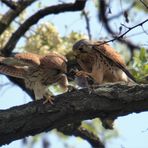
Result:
pixel 37 71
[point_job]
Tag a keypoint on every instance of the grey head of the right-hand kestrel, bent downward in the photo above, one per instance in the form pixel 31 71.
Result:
pixel 82 46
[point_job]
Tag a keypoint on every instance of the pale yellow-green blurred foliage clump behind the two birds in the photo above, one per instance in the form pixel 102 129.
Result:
pixel 46 38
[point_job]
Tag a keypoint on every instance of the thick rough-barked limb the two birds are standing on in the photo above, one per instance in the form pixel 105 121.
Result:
pixel 107 101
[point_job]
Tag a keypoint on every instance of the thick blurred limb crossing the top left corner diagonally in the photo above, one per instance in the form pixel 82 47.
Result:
pixel 10 15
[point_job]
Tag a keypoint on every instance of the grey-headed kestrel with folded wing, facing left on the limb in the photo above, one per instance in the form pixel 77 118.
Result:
pixel 100 62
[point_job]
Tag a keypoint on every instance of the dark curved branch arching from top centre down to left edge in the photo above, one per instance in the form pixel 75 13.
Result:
pixel 78 5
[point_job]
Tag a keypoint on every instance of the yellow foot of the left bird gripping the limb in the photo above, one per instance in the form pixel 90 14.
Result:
pixel 48 97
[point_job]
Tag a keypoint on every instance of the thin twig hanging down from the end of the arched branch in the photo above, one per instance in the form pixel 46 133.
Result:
pixel 87 23
